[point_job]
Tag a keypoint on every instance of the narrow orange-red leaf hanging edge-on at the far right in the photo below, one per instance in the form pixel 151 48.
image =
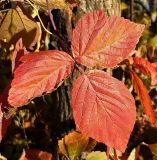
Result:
pixel 143 96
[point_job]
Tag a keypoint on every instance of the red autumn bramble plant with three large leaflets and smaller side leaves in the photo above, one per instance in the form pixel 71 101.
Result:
pixel 103 107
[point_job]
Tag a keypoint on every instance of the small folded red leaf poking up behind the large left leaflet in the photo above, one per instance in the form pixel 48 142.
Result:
pixel 19 51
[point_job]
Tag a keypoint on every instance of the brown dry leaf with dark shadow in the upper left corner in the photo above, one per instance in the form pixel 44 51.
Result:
pixel 17 25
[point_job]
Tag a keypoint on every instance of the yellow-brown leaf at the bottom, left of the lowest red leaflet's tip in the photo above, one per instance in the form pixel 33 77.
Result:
pixel 73 144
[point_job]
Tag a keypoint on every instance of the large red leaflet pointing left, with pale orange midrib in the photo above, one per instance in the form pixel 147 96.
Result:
pixel 38 74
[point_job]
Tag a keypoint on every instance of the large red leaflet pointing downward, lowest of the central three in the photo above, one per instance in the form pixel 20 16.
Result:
pixel 103 108
